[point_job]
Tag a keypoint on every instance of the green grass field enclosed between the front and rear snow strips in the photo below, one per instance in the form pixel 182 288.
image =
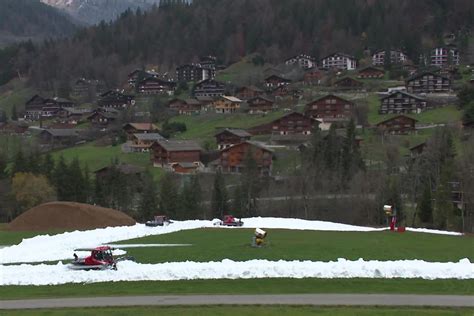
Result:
pixel 214 244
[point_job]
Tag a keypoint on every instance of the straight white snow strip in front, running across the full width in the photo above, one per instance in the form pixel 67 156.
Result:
pixel 227 269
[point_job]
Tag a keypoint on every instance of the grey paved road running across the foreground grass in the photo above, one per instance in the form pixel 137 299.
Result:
pixel 303 299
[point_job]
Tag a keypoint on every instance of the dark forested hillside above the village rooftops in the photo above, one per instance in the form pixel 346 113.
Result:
pixel 178 32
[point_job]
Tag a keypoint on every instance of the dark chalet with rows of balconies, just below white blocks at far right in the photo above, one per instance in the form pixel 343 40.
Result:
pixel 428 82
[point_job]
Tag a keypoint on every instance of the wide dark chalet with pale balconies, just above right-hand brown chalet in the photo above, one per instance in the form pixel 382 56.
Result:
pixel 399 102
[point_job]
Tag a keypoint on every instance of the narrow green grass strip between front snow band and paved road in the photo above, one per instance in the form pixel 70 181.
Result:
pixel 242 286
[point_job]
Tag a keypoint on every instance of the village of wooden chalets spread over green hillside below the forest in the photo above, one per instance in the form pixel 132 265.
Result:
pixel 209 118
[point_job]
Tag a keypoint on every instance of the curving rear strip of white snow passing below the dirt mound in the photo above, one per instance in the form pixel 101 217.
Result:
pixel 61 246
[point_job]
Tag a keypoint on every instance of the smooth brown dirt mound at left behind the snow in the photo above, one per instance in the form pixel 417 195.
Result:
pixel 68 216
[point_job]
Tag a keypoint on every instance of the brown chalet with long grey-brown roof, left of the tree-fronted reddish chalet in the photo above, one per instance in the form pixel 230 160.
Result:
pixel 167 152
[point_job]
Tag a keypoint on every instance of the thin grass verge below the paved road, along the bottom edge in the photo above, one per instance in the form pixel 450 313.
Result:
pixel 245 310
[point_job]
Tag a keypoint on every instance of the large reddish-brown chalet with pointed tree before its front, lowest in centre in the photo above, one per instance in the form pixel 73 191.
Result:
pixel 232 158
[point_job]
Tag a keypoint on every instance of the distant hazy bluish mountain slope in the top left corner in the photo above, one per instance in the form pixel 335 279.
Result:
pixel 31 19
